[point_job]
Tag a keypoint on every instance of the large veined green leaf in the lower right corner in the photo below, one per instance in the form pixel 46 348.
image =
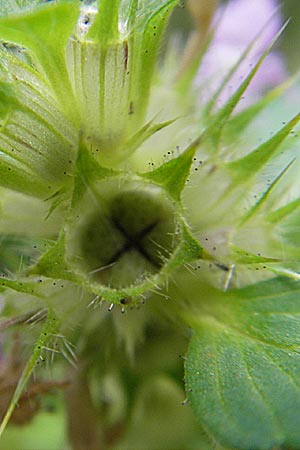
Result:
pixel 243 365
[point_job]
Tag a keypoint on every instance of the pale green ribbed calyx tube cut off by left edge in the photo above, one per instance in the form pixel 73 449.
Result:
pixel 32 125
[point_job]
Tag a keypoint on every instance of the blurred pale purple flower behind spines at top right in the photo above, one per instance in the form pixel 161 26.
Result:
pixel 239 23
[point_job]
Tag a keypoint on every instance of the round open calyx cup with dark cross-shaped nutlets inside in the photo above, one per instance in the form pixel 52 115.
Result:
pixel 125 235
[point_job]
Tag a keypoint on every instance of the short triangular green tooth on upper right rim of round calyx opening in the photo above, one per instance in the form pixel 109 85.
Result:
pixel 173 175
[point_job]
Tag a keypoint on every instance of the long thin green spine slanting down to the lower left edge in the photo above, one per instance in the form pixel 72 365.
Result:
pixel 49 330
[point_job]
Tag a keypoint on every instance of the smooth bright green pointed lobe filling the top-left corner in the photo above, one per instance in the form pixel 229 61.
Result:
pixel 45 32
